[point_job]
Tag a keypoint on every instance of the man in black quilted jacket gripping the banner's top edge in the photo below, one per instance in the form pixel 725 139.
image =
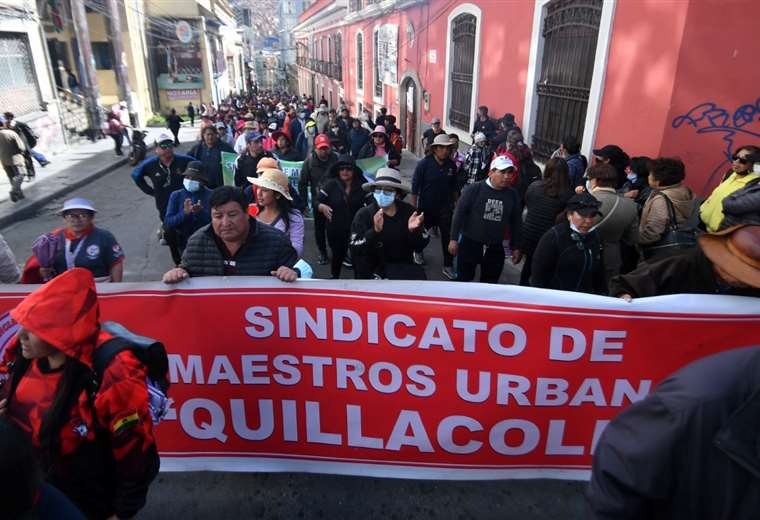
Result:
pixel 235 244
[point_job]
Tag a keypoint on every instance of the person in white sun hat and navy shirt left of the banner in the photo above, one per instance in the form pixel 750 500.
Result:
pixel 81 244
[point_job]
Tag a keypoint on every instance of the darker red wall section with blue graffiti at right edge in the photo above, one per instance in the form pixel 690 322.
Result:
pixel 715 107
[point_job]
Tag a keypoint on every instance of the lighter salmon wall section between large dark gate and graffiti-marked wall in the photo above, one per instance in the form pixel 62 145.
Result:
pixel 641 74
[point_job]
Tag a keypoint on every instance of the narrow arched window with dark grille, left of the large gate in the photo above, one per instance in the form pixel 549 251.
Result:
pixel 463 29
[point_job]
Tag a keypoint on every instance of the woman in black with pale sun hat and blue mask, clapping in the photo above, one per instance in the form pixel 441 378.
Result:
pixel 386 233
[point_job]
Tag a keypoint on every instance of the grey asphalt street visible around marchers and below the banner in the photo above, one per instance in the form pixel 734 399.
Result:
pixel 133 219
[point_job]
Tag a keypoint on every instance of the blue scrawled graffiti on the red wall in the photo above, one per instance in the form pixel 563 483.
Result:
pixel 709 117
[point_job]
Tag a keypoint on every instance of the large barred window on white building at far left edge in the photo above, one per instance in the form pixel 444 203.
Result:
pixel 19 92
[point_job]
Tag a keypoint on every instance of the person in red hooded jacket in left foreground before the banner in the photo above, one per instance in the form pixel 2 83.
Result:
pixel 99 449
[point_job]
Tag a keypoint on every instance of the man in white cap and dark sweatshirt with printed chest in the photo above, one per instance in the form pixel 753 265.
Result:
pixel 487 210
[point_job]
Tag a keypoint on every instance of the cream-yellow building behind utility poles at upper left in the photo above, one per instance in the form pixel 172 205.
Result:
pixel 175 51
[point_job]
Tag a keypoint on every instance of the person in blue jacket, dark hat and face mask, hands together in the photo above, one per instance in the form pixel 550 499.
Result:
pixel 188 209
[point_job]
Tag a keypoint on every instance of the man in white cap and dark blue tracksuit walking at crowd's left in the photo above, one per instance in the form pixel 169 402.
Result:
pixel 159 176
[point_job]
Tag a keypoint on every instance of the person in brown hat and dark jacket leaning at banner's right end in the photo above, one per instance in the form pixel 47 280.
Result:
pixel 727 262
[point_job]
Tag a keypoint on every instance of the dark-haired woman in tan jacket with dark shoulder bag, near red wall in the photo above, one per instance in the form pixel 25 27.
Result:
pixel 671 203
